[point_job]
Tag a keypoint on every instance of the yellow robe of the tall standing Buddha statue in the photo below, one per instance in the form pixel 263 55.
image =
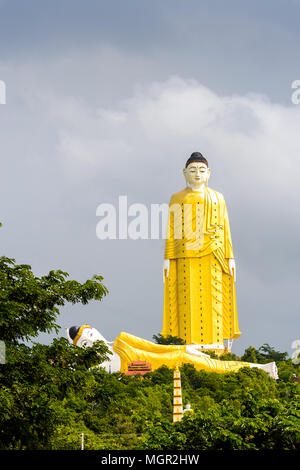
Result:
pixel 199 294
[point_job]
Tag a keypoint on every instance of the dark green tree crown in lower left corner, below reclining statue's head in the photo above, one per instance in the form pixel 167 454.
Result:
pixel 43 387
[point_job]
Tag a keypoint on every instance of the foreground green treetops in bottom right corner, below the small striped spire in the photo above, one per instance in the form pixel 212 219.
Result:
pixel 270 426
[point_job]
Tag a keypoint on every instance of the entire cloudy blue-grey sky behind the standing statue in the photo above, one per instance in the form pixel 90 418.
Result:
pixel 109 98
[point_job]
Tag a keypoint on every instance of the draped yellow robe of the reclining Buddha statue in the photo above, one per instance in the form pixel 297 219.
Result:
pixel 131 348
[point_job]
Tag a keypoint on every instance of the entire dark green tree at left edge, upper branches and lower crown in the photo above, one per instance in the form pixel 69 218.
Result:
pixel 34 382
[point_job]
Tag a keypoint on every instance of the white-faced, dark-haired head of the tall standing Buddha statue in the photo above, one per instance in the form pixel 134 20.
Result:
pixel 196 171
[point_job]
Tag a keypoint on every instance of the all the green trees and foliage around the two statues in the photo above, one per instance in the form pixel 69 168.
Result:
pixel 50 394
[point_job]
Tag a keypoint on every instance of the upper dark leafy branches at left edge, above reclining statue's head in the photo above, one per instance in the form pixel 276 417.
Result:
pixel 30 304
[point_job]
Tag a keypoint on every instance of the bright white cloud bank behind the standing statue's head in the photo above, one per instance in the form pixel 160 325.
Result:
pixel 166 120
